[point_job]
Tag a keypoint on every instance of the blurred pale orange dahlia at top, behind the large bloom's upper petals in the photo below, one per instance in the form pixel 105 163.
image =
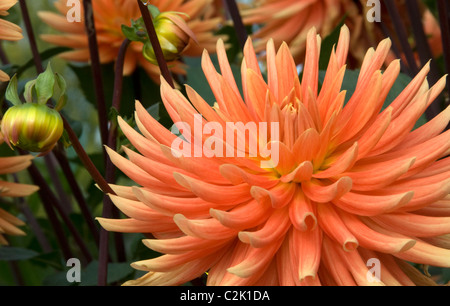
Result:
pixel 290 20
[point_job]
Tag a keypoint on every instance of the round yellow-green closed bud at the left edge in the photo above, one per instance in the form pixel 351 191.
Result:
pixel 33 127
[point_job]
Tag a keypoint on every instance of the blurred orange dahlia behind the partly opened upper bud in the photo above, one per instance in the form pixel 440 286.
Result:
pixel 109 18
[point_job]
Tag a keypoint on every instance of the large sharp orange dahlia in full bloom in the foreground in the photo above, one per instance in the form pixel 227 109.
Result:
pixel 353 182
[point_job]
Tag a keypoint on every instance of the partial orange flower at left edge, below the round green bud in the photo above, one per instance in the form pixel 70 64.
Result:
pixel 8 222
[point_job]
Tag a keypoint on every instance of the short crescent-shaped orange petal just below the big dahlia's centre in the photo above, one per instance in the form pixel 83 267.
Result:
pixel 318 192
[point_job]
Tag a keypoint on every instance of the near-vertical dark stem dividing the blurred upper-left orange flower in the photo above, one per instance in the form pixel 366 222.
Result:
pixel 96 69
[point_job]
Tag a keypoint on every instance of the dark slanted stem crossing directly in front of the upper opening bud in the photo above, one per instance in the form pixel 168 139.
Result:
pixel 155 43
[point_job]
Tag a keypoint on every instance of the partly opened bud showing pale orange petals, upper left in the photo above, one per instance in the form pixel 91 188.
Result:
pixel 173 36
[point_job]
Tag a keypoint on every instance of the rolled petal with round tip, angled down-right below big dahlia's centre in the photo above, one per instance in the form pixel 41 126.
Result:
pixel 335 228
